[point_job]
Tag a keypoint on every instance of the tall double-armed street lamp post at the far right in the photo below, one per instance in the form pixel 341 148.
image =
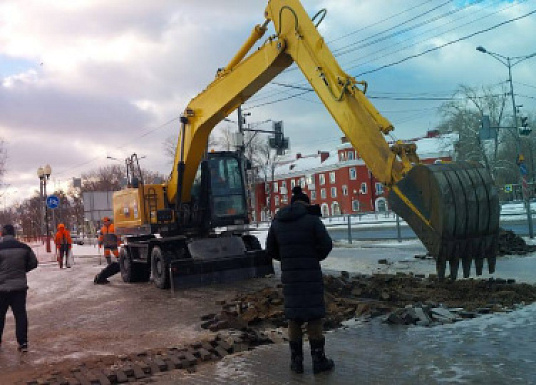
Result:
pixel 509 62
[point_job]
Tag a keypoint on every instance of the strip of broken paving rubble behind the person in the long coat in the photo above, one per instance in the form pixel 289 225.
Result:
pixel 401 299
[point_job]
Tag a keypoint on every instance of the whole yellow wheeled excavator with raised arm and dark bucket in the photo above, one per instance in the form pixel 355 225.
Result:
pixel 193 228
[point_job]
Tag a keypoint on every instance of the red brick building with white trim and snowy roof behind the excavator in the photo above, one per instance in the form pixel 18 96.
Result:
pixel 338 180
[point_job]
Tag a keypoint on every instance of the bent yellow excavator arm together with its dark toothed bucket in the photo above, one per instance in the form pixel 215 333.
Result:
pixel 451 229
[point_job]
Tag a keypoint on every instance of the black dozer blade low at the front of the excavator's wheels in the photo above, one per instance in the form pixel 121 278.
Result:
pixel 219 260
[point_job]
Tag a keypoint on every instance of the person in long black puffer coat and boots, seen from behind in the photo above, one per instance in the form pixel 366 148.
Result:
pixel 298 239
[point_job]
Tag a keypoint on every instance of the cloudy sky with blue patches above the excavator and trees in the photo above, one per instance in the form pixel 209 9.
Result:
pixel 81 80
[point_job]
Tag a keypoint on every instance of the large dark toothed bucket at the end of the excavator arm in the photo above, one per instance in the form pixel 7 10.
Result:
pixel 454 210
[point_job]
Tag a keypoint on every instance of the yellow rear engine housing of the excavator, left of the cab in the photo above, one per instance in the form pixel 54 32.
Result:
pixel 135 208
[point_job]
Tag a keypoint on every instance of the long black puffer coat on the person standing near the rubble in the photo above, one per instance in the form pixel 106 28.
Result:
pixel 300 241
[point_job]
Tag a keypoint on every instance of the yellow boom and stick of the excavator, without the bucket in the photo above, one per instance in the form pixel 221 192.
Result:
pixel 296 40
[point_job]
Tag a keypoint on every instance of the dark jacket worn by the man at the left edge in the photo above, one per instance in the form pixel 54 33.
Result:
pixel 16 259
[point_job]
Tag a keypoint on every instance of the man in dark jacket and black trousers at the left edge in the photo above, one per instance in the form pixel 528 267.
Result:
pixel 16 259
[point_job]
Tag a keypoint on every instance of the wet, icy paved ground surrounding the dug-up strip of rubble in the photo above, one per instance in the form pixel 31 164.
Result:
pixel 70 319
